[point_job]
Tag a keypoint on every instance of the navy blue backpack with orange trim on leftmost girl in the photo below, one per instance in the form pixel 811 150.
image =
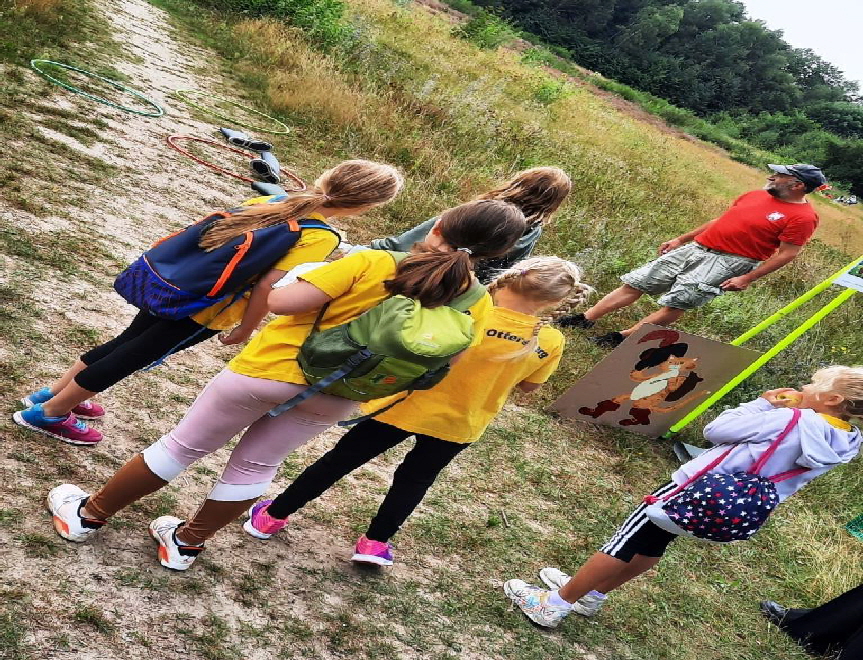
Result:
pixel 176 278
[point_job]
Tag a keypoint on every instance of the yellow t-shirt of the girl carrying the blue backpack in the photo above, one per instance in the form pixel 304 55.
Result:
pixel 313 245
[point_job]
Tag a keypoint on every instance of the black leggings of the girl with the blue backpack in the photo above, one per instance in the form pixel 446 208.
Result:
pixel 147 339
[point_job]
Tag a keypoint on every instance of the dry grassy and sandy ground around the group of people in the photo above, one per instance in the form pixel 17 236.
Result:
pixel 533 492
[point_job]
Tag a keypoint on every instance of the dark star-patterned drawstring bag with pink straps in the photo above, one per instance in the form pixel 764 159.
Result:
pixel 722 508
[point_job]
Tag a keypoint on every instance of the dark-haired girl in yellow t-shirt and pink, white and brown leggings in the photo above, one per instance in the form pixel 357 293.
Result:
pixel 266 373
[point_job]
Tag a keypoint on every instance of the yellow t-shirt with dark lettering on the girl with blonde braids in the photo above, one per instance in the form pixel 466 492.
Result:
pixel 461 406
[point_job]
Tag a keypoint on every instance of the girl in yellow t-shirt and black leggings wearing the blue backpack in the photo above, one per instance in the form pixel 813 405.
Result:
pixel 349 188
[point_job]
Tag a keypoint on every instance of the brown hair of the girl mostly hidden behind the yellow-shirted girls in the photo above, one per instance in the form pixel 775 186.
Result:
pixel 538 192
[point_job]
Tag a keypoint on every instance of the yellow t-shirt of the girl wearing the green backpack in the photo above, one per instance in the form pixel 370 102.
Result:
pixel 355 283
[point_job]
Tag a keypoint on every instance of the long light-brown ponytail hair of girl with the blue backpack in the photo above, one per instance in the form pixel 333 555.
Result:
pixel 353 184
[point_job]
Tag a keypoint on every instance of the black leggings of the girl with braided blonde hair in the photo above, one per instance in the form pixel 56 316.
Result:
pixel 417 472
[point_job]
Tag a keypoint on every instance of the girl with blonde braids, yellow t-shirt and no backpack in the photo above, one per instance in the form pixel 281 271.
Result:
pixel 518 350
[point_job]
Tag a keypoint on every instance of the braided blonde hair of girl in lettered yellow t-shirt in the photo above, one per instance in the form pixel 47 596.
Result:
pixel 543 279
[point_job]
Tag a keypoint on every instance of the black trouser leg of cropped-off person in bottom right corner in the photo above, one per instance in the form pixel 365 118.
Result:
pixel 834 626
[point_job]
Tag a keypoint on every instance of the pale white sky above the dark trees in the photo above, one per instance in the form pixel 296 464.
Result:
pixel 832 28
